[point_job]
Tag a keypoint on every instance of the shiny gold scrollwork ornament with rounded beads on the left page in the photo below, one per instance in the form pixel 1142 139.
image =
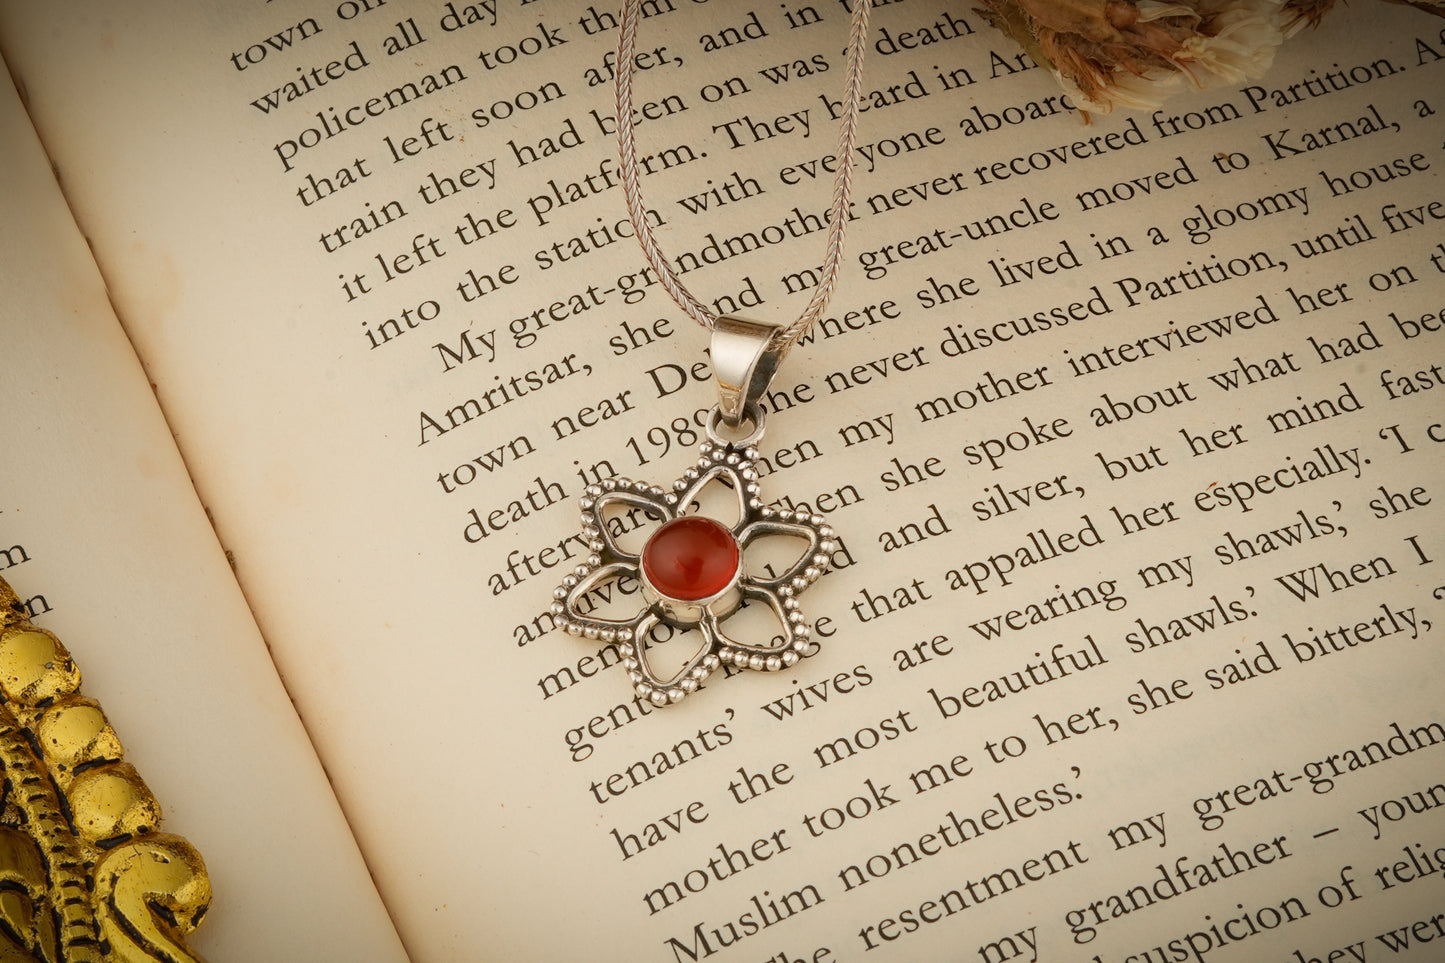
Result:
pixel 86 876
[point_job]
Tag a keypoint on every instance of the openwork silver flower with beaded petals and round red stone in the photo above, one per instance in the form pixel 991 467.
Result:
pixel 693 572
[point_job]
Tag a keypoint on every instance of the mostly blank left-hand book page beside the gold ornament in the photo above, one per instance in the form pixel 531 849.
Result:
pixel 106 543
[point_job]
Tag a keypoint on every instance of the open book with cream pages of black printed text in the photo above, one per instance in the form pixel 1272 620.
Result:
pixel 320 317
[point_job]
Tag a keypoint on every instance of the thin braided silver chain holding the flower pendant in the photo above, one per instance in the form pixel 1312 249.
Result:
pixel 842 189
